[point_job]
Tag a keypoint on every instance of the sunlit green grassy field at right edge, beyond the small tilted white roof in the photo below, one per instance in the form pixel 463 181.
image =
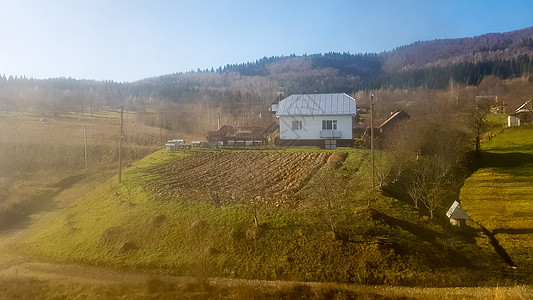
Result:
pixel 499 195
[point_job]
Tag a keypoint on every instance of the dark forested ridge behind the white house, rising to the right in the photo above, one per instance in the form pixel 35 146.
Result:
pixel 430 63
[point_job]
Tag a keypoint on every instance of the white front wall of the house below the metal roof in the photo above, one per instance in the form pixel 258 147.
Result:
pixel 311 127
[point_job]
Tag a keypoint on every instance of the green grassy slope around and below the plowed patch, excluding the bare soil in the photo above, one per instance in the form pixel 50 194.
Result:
pixel 125 226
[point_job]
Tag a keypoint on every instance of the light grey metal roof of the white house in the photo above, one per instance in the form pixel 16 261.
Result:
pixel 316 105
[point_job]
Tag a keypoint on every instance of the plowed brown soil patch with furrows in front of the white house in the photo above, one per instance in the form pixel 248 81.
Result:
pixel 270 178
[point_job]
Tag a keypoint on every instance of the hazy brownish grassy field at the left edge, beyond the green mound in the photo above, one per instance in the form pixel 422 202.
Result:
pixel 39 159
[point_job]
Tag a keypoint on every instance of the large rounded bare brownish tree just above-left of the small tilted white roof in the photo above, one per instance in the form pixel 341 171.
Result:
pixel 427 153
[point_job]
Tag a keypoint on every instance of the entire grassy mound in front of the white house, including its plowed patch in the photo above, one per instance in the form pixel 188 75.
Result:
pixel 322 231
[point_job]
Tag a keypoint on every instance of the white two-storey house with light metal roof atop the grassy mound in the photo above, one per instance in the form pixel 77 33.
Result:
pixel 323 120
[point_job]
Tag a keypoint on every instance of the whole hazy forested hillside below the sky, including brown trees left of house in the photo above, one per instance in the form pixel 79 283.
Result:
pixel 239 93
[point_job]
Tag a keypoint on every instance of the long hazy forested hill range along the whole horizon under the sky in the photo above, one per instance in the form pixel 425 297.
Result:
pixel 431 64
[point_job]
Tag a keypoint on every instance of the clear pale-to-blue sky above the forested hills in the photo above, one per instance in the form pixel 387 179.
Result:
pixel 125 40
